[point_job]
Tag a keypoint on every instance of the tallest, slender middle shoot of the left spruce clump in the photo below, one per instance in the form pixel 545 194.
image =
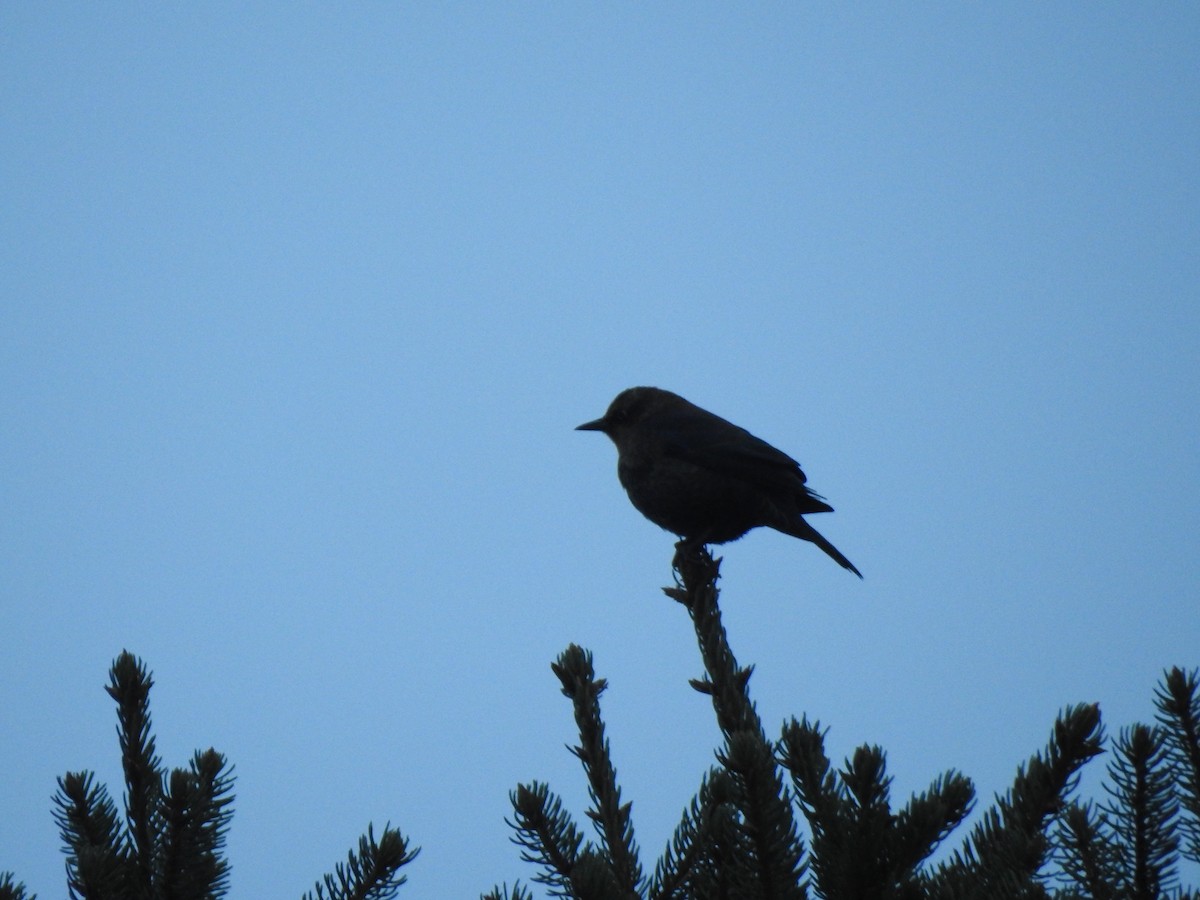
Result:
pixel 130 686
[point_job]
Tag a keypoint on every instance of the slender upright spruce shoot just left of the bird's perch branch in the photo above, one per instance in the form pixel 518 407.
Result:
pixel 611 818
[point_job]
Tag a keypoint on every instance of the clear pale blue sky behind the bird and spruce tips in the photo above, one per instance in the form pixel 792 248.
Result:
pixel 302 303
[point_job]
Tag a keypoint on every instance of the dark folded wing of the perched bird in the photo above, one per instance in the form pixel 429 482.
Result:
pixel 707 441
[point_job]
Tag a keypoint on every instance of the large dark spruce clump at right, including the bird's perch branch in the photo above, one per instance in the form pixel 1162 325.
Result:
pixel 739 838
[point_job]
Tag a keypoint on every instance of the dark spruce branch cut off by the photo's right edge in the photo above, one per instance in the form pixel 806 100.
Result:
pixel 1178 699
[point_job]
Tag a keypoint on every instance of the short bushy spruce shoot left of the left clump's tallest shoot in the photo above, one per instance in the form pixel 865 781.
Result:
pixel 99 865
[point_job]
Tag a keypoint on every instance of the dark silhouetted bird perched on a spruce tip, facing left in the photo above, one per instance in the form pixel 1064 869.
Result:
pixel 704 478
